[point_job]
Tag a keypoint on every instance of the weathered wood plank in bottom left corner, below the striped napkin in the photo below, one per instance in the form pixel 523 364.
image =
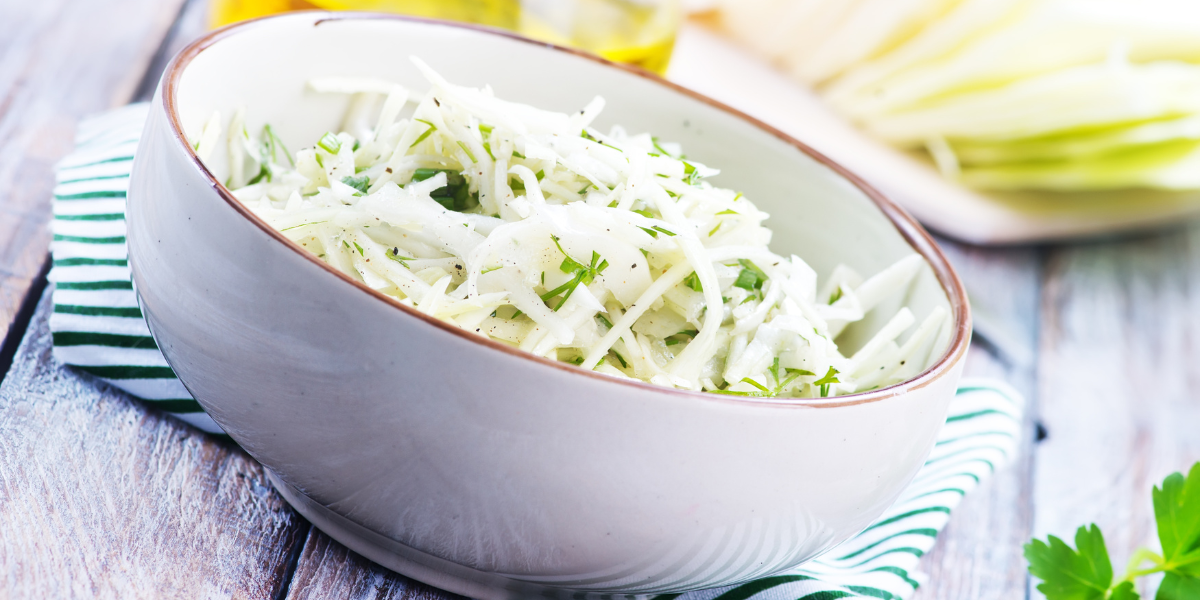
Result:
pixel 101 497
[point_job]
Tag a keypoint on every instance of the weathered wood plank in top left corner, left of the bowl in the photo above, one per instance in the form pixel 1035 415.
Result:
pixel 59 61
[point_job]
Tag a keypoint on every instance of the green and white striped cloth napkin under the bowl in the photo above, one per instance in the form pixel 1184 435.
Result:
pixel 99 329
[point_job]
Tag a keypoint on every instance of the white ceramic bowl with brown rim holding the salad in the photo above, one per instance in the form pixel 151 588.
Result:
pixel 466 464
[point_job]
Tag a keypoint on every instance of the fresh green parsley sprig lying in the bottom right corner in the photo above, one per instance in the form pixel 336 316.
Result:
pixel 1085 573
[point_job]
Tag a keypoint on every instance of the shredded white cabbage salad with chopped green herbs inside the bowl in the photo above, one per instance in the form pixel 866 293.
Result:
pixel 610 251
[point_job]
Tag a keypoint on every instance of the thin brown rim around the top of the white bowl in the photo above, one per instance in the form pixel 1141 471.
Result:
pixel 914 233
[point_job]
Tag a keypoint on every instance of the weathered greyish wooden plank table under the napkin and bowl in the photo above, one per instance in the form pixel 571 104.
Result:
pixel 103 497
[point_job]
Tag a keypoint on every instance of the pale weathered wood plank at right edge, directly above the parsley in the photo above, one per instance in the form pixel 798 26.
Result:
pixel 1119 373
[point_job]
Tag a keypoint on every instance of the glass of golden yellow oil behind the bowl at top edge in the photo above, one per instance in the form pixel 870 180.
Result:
pixel 639 33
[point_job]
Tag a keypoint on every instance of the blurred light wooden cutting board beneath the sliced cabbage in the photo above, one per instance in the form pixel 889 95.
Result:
pixel 717 68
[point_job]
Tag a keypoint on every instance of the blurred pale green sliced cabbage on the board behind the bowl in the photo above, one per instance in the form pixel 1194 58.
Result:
pixel 1064 95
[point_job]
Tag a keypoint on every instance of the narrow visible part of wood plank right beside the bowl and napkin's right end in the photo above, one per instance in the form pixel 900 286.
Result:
pixel 979 555
